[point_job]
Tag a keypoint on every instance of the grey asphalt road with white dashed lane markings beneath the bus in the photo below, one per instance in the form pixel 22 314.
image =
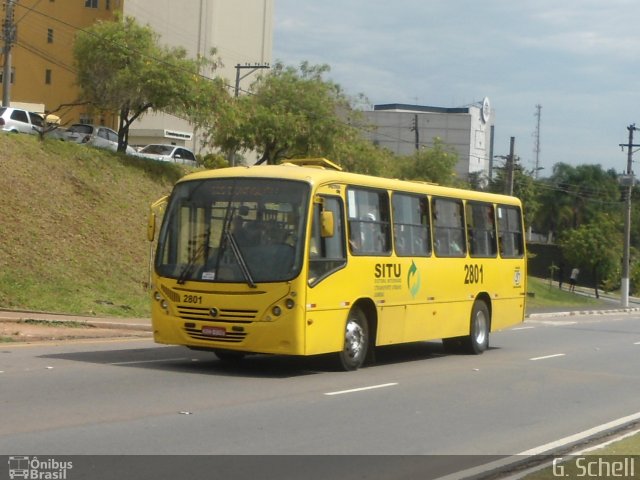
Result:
pixel 547 380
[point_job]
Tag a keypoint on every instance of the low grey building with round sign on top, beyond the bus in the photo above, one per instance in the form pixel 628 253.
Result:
pixel 403 129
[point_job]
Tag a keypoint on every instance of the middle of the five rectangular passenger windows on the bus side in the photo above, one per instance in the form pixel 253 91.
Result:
pixel 448 225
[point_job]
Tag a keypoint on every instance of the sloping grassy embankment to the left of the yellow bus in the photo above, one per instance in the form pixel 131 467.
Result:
pixel 73 226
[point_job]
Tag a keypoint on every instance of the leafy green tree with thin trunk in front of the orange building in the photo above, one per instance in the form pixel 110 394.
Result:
pixel 122 69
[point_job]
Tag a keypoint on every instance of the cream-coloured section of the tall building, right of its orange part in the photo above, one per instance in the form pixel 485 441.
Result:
pixel 240 30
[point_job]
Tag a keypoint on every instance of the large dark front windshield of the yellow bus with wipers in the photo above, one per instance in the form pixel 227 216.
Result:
pixel 234 230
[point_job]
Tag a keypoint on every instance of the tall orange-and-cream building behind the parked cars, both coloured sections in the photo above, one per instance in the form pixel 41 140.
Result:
pixel 42 59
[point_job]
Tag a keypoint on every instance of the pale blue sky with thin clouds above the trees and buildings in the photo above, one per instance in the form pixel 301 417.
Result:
pixel 578 59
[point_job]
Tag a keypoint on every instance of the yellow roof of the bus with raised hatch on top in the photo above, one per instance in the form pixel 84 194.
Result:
pixel 316 173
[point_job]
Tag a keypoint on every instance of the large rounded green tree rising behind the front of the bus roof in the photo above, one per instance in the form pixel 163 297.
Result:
pixel 289 113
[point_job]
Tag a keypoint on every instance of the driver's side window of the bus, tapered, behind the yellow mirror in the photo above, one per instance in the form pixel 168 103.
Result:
pixel 326 254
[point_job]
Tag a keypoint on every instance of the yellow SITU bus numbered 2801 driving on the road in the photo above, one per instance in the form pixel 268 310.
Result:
pixel 304 259
